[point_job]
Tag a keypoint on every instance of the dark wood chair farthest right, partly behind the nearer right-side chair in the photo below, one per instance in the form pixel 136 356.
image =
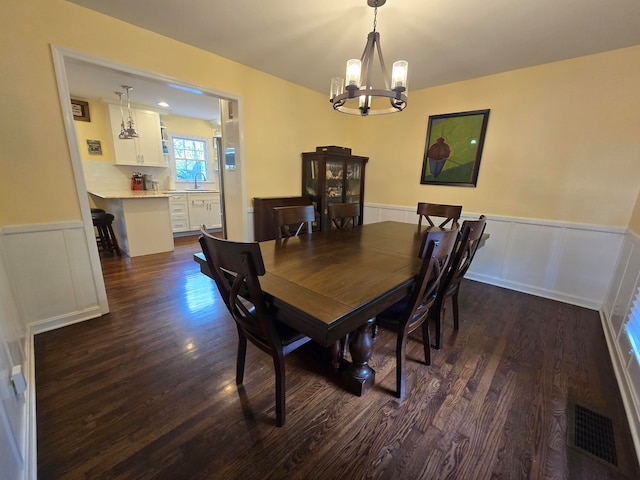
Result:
pixel 464 251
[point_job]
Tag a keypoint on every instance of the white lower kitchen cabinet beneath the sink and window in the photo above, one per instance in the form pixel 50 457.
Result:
pixel 189 211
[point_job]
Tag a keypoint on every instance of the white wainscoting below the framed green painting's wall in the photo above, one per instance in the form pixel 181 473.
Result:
pixel 569 262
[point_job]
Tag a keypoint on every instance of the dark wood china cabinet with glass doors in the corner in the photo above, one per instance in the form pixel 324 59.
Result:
pixel 332 175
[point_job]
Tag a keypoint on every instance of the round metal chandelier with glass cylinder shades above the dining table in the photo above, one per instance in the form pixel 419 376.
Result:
pixel 359 78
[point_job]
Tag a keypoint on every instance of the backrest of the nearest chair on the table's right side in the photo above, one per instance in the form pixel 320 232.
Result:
pixel 435 253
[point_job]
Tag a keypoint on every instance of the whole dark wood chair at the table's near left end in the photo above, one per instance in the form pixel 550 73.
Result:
pixel 236 268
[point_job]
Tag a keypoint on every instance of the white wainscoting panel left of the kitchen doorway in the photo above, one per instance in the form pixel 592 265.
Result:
pixel 51 272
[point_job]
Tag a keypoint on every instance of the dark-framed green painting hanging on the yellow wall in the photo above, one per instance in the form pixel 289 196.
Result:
pixel 453 148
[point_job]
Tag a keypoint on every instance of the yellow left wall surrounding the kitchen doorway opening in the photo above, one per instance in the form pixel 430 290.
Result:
pixel 281 119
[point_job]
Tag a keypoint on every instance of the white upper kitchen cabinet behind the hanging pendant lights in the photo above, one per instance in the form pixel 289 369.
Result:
pixel 145 150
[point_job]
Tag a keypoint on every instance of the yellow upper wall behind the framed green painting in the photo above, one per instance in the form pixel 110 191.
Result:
pixel 562 142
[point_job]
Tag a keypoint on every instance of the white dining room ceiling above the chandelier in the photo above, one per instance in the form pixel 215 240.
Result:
pixel 444 41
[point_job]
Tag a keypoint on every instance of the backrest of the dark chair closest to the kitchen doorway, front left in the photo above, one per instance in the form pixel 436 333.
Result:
pixel 235 267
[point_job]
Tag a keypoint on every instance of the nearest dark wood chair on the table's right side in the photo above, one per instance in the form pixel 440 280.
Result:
pixel 412 312
